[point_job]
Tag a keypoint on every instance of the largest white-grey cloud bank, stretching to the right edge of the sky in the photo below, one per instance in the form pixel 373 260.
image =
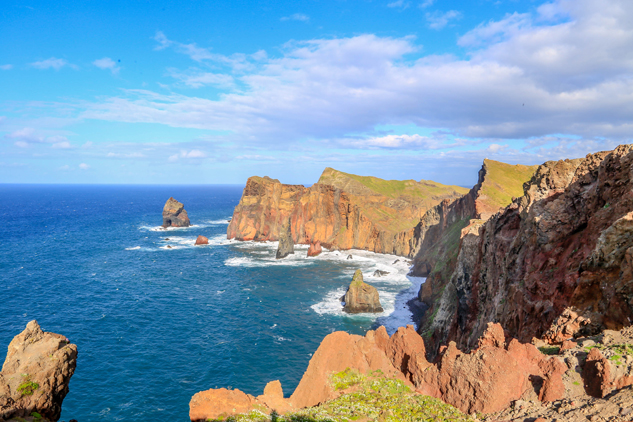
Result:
pixel 525 77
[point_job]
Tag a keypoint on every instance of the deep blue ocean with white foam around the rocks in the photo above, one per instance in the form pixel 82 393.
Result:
pixel 154 325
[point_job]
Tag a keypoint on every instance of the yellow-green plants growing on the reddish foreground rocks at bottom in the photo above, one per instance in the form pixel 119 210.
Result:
pixel 370 398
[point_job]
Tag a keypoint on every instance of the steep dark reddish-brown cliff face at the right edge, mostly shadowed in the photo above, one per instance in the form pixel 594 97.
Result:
pixel 567 242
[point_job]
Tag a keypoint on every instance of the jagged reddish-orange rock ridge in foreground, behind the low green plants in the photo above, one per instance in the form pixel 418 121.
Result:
pixel 486 380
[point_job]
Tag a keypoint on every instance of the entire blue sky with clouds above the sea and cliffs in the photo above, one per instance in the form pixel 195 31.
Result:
pixel 204 92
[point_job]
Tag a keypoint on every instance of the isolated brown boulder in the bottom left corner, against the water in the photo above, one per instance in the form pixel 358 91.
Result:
pixel 36 373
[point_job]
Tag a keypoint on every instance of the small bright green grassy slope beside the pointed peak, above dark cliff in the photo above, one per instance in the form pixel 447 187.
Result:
pixel 504 181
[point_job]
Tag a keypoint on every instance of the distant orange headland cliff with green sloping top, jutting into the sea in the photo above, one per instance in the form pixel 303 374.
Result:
pixel 341 211
